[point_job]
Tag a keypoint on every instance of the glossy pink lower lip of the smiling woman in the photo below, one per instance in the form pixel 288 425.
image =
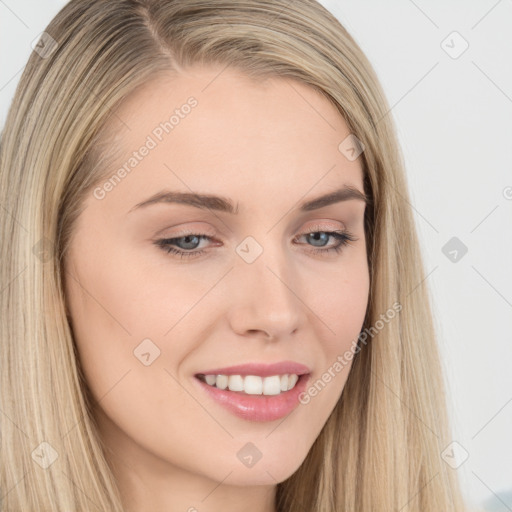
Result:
pixel 257 407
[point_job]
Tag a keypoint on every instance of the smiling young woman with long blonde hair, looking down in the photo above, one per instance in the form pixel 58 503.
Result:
pixel 260 368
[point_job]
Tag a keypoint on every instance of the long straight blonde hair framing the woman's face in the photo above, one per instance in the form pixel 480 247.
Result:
pixel 381 447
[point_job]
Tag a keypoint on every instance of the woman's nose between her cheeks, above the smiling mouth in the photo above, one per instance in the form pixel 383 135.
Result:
pixel 263 299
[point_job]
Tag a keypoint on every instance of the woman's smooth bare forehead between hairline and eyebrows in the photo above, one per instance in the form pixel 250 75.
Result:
pixel 217 131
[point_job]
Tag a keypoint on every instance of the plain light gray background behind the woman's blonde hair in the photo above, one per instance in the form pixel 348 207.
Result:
pixel 454 123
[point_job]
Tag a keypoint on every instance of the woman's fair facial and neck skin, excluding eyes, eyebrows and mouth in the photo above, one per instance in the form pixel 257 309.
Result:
pixel 267 146
